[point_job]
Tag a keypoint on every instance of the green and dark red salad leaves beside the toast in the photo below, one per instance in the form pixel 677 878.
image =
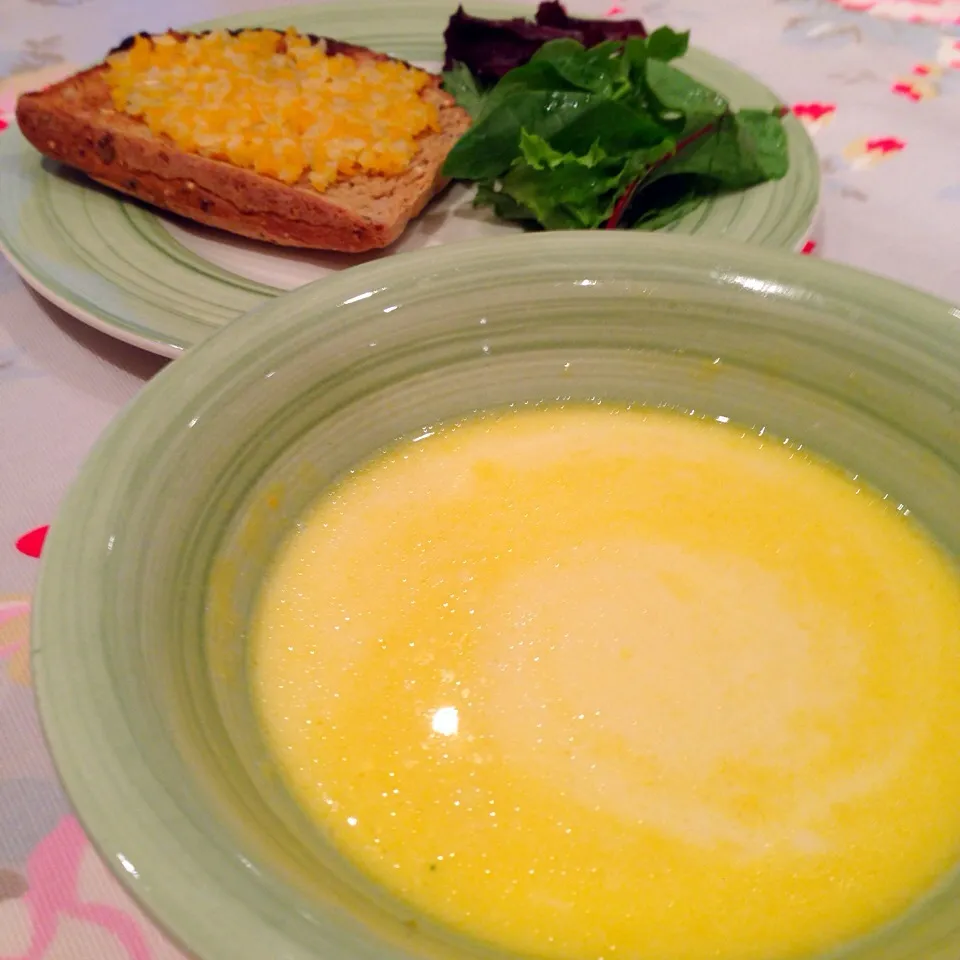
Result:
pixel 580 135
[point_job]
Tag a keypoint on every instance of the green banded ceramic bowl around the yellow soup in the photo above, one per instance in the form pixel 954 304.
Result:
pixel 153 564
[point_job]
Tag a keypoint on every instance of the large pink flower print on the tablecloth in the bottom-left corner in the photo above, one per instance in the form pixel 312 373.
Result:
pixel 73 907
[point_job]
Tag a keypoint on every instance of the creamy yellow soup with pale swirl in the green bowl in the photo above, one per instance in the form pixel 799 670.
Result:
pixel 596 683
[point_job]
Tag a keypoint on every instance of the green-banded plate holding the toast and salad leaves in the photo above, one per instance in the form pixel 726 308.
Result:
pixel 166 285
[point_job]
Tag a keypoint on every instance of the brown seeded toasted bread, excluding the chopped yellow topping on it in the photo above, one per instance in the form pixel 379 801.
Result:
pixel 75 122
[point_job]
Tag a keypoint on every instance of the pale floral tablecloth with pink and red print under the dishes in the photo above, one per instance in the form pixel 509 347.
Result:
pixel 876 81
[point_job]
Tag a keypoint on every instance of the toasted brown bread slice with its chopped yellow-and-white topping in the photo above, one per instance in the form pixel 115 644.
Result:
pixel 280 136
